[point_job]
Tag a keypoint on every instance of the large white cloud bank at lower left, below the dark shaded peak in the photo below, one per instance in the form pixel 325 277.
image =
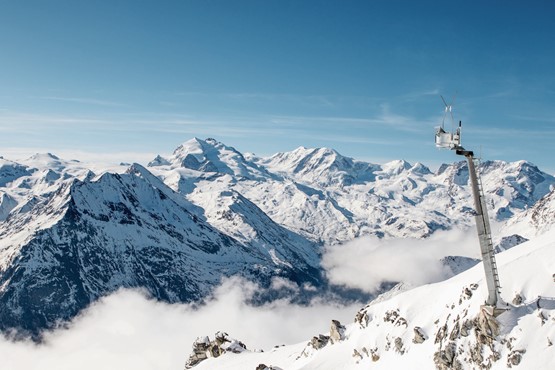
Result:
pixel 128 331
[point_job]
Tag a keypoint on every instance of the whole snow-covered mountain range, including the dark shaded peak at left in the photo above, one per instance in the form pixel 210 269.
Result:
pixel 72 232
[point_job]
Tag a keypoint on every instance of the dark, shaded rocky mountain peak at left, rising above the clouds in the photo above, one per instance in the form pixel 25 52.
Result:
pixel 122 231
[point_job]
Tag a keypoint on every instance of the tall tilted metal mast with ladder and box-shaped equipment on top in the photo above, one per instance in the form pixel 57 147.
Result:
pixel 452 141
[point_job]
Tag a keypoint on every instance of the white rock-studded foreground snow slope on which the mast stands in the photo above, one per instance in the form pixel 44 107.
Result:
pixel 440 311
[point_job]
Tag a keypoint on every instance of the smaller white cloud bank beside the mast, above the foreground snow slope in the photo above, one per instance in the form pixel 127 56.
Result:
pixel 367 262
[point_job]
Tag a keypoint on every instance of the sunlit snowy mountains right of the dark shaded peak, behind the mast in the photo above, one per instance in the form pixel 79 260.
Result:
pixel 329 198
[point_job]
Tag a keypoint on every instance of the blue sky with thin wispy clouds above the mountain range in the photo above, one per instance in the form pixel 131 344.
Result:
pixel 129 79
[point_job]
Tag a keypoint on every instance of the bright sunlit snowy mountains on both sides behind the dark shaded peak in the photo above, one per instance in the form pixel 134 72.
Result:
pixel 317 193
